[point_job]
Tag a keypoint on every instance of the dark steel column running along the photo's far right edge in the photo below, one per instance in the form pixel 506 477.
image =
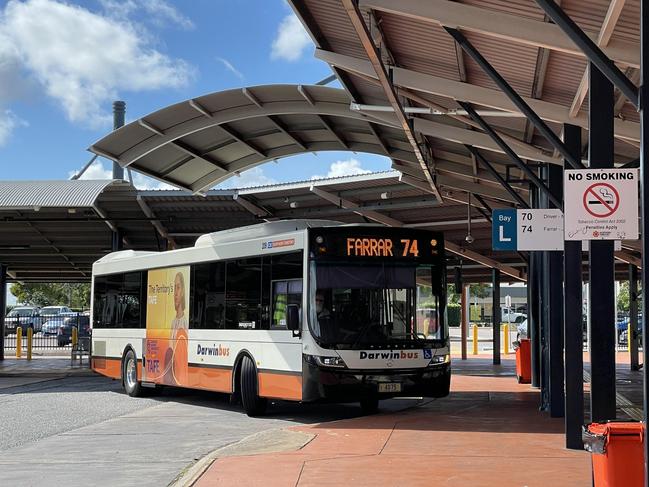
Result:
pixel 644 204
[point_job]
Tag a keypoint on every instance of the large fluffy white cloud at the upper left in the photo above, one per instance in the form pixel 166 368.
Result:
pixel 82 59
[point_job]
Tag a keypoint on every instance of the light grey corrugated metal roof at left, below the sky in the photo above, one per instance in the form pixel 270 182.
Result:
pixel 56 194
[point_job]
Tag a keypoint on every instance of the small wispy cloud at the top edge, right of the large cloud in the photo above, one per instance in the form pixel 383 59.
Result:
pixel 158 12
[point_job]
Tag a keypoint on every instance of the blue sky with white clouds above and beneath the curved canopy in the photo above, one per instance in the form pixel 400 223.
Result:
pixel 63 63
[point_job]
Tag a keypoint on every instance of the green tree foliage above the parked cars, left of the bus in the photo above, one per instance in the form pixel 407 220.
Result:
pixel 74 295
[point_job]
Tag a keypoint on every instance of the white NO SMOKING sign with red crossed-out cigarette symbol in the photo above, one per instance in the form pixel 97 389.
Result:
pixel 601 204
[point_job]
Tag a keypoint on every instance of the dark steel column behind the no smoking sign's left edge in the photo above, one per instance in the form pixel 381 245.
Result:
pixel 572 317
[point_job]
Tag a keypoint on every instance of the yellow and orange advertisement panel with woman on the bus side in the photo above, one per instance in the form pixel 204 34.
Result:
pixel 167 322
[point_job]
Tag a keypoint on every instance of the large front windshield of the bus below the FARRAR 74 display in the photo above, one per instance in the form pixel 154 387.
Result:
pixel 384 304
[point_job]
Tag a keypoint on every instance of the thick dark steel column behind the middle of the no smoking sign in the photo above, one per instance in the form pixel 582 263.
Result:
pixel 601 299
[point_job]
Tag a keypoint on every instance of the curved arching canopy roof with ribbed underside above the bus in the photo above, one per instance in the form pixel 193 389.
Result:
pixel 200 142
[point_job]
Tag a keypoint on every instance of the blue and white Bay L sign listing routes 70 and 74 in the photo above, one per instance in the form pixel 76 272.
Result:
pixel 538 229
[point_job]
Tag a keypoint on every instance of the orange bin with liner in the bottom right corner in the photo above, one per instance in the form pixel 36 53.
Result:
pixel 617 453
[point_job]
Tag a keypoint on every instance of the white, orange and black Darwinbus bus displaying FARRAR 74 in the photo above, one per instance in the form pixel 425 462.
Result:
pixel 297 310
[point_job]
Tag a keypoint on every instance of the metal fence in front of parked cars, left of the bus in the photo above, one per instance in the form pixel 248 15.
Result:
pixel 50 332
